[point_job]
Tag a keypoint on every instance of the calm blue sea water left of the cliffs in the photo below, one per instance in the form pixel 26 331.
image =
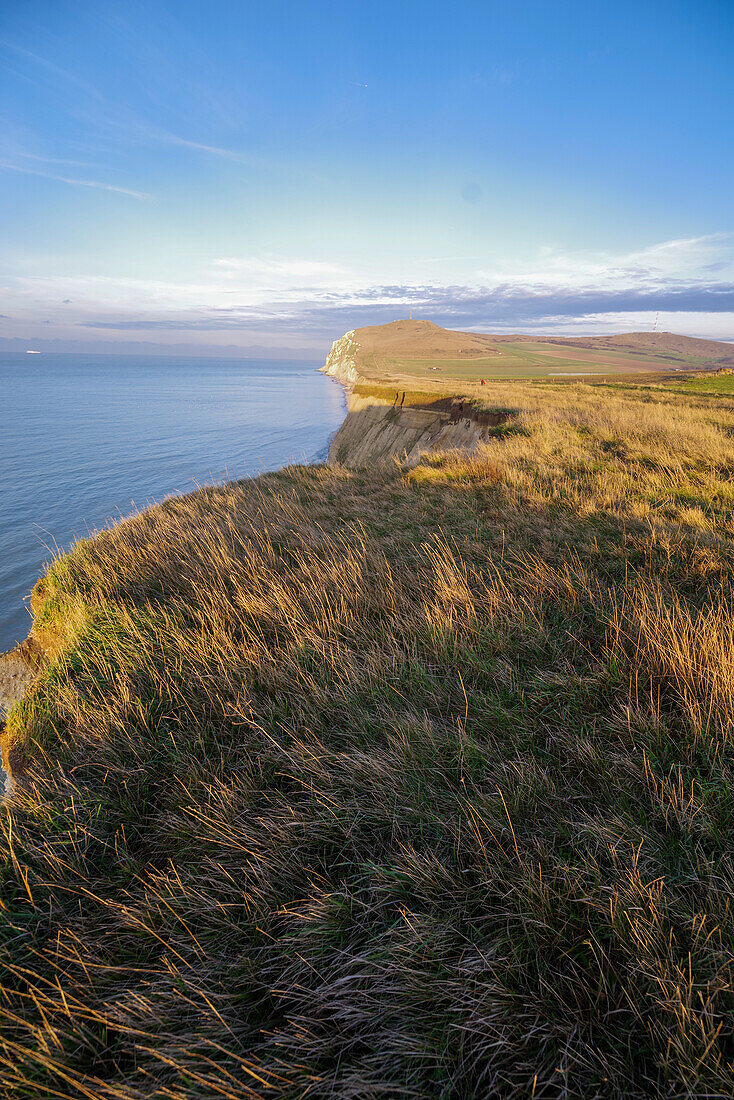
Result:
pixel 89 438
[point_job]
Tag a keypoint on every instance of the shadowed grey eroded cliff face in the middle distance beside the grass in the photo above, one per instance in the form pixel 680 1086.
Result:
pixel 378 434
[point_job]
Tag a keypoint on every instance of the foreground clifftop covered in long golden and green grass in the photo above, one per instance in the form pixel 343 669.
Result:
pixel 408 783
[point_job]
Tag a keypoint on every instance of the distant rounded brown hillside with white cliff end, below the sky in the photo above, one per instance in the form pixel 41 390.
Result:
pixel 407 351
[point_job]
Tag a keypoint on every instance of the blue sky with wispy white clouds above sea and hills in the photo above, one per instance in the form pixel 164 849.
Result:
pixel 260 178
